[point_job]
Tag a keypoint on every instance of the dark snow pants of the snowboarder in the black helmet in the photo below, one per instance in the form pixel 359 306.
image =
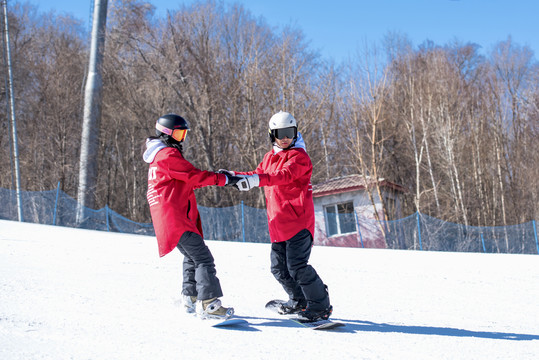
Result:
pixel 199 274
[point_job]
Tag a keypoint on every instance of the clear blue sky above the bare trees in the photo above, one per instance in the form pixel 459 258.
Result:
pixel 338 28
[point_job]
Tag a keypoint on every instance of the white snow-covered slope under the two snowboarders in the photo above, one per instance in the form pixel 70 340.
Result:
pixel 79 294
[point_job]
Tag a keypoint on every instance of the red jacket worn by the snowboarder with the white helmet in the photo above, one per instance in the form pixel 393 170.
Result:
pixel 286 177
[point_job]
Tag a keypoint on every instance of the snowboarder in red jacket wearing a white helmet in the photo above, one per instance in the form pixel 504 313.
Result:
pixel 285 173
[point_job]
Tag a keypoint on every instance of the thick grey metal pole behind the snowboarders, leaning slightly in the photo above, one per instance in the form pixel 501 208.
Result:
pixel 92 113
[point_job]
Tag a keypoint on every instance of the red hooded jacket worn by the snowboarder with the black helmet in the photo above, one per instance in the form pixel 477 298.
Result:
pixel 173 206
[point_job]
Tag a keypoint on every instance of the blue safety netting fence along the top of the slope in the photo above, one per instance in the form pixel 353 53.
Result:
pixel 418 231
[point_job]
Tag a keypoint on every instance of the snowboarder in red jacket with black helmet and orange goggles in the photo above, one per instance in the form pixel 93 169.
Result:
pixel 175 217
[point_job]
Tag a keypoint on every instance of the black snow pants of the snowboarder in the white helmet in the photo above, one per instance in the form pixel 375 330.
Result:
pixel 289 265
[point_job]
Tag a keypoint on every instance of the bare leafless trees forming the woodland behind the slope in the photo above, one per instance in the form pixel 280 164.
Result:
pixel 456 127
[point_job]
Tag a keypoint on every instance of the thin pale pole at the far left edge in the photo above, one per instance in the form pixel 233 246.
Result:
pixel 13 118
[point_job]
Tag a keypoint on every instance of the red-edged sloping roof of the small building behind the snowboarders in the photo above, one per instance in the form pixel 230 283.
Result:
pixel 350 183
